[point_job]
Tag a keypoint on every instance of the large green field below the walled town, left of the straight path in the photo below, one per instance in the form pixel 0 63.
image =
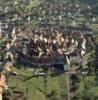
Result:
pixel 38 88
